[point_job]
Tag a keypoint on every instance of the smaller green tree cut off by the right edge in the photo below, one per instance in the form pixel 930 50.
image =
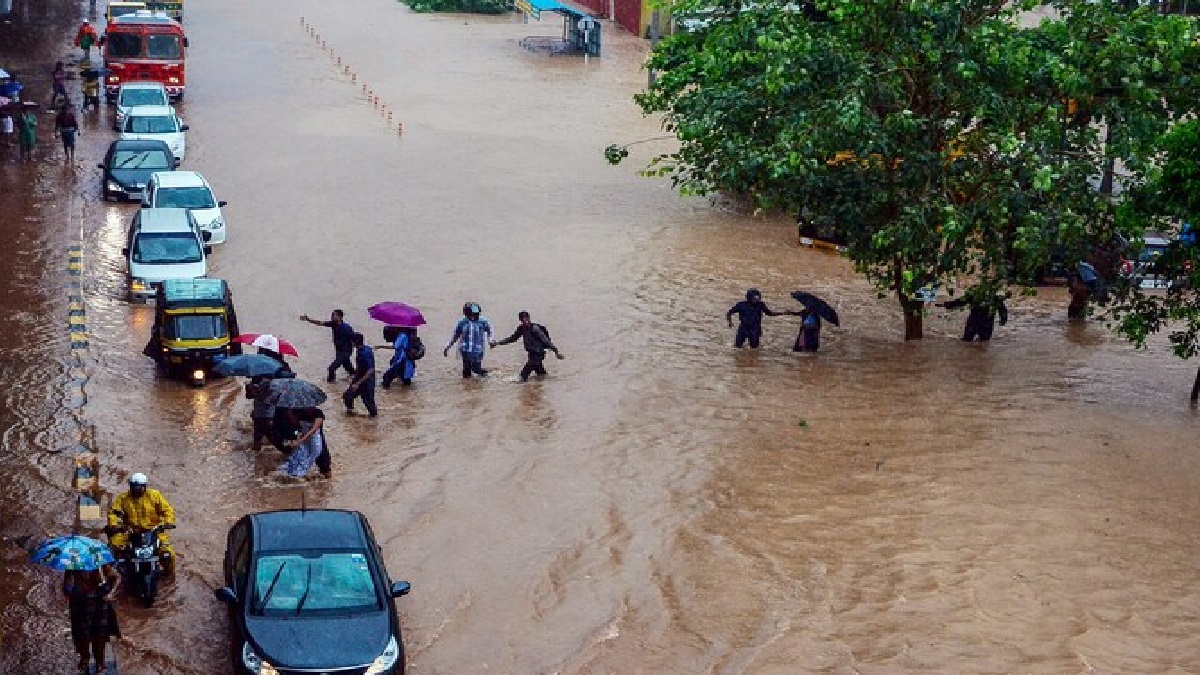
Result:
pixel 1165 204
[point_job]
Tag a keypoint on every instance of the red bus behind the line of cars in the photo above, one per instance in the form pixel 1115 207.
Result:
pixel 145 47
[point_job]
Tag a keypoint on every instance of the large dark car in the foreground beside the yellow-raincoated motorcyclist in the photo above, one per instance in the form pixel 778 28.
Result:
pixel 308 593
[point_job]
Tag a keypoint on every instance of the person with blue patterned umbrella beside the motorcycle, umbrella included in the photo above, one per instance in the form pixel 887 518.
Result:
pixel 89 584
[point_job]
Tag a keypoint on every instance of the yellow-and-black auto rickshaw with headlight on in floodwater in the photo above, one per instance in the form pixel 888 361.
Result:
pixel 195 325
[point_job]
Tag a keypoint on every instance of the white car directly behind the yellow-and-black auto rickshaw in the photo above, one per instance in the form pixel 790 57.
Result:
pixel 164 244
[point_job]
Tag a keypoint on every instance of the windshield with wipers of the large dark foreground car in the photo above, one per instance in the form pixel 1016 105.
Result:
pixel 293 584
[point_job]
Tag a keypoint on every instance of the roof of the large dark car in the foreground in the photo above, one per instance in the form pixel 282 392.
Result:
pixel 309 530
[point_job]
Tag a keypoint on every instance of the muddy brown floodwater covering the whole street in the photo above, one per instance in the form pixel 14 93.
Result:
pixel 662 504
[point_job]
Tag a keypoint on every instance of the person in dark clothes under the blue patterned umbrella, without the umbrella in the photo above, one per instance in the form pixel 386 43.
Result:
pixel 93 618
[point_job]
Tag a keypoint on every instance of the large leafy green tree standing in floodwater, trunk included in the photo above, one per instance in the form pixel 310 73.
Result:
pixel 945 142
